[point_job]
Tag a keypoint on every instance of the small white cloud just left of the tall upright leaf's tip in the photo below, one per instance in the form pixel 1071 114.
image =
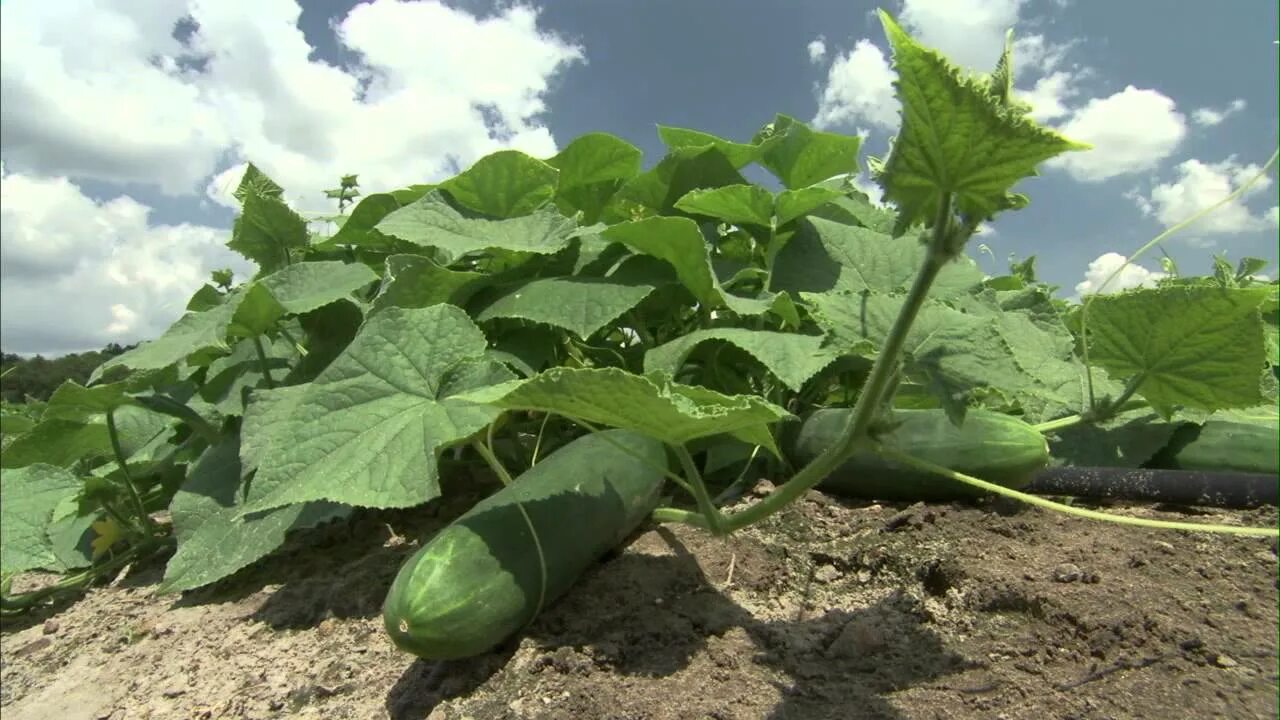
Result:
pixel 860 88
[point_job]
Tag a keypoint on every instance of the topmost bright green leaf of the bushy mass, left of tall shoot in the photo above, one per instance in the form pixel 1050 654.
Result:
pixel 801 157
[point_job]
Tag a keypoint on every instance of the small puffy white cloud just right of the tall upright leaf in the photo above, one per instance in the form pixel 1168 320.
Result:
pixel 1131 131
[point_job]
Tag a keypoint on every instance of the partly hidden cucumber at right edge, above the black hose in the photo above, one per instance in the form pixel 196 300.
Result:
pixel 1237 443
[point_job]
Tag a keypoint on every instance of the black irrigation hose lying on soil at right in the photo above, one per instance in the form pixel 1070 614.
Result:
pixel 1178 487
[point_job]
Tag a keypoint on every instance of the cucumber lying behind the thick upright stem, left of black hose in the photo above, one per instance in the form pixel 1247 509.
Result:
pixel 990 446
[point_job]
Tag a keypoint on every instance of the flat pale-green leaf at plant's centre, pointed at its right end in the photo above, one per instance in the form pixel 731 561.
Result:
pixel 580 306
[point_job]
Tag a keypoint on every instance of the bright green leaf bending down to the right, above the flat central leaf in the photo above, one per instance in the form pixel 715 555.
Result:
pixel 679 243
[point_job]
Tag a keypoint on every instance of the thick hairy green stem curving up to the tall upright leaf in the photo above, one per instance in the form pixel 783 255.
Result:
pixel 870 400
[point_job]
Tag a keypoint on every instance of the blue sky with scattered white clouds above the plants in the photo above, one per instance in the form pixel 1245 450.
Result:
pixel 125 125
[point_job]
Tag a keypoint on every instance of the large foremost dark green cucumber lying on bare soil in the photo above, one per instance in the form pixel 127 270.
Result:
pixel 482 578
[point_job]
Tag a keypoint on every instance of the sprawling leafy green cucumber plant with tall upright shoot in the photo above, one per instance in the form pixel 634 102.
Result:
pixel 502 317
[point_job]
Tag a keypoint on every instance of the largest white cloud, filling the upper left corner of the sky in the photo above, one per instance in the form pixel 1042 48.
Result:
pixel 100 90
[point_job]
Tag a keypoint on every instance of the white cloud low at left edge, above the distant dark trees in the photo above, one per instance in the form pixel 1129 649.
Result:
pixel 79 274
